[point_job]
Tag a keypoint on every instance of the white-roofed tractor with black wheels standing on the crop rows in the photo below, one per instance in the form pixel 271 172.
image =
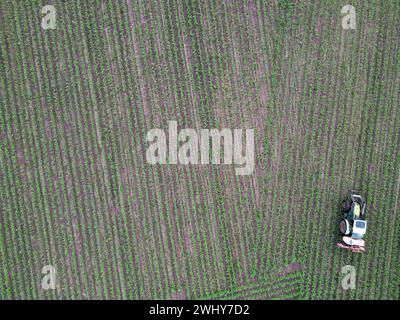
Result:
pixel 353 225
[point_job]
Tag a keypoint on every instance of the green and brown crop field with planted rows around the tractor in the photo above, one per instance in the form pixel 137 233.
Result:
pixel 78 194
